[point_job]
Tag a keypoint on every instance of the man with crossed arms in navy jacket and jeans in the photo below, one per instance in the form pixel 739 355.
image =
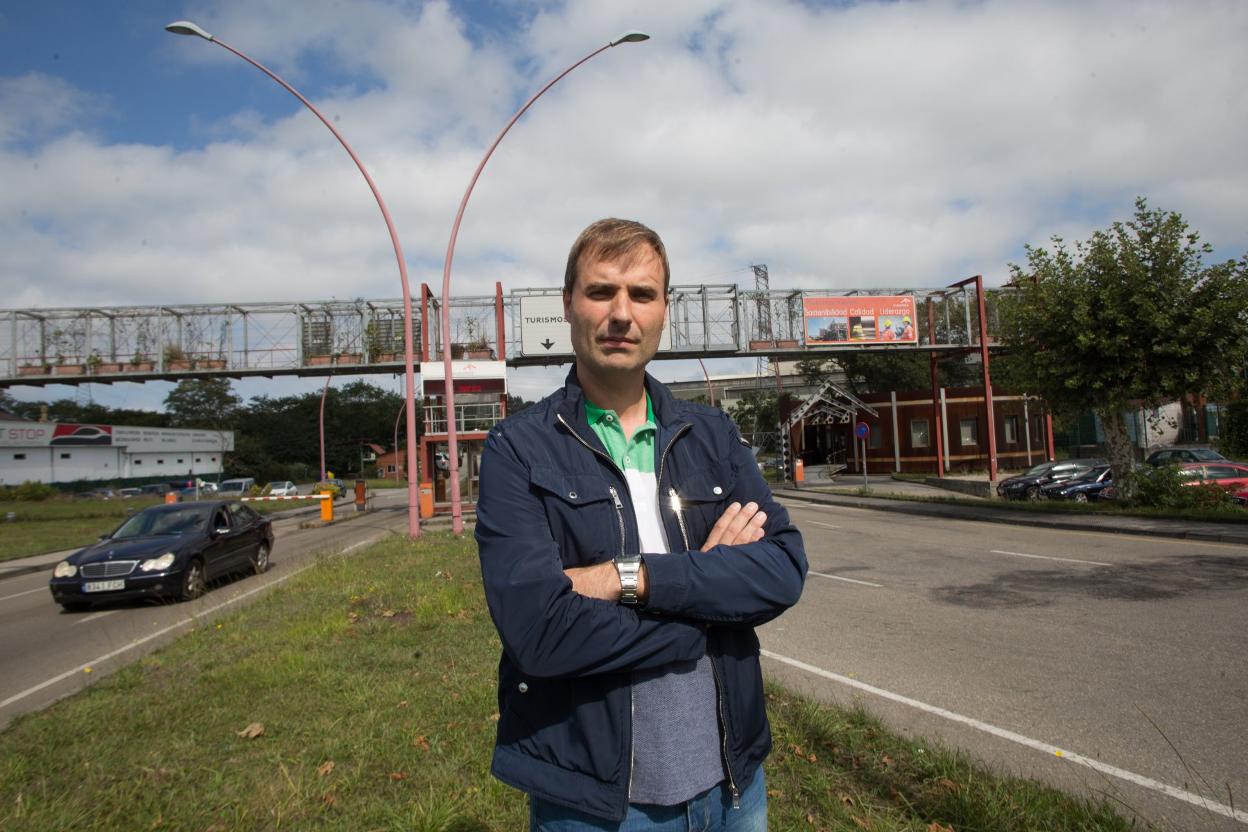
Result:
pixel 630 547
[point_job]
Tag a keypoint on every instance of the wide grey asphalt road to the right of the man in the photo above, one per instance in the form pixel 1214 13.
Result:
pixel 1104 663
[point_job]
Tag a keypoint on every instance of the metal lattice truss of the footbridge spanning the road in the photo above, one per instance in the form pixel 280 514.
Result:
pixel 139 344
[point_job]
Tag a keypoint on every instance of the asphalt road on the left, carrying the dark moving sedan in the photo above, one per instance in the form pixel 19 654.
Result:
pixel 46 653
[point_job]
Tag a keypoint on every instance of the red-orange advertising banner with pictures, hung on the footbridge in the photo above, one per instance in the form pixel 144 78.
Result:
pixel 879 320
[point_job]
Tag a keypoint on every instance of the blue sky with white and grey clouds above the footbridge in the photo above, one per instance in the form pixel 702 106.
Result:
pixel 842 144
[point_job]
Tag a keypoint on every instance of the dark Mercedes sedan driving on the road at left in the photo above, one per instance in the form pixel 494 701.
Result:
pixel 169 551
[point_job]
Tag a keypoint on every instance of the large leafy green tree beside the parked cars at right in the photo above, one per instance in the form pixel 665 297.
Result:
pixel 1131 319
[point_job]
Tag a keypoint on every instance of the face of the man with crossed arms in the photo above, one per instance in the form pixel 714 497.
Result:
pixel 617 314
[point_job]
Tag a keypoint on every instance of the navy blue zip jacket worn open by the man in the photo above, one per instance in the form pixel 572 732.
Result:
pixel 552 498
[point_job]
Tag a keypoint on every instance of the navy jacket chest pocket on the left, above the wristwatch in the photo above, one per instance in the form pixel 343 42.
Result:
pixel 586 518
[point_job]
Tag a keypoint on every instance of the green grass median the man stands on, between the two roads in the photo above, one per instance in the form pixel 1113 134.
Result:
pixel 384 664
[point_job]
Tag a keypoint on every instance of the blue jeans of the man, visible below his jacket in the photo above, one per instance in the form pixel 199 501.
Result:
pixel 709 813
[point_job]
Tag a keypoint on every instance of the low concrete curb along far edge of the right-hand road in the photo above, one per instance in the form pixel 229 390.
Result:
pixel 1143 527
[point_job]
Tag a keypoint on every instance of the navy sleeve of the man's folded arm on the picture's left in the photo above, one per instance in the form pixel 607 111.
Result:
pixel 547 629
